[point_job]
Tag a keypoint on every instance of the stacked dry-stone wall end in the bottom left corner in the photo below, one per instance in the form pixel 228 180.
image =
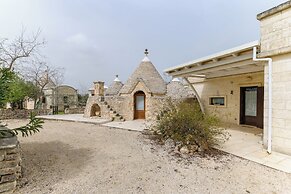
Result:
pixel 10 164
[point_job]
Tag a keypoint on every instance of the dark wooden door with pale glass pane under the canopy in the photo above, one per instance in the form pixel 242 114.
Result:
pixel 252 106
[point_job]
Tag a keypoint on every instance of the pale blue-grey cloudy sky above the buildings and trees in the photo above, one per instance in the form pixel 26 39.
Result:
pixel 95 40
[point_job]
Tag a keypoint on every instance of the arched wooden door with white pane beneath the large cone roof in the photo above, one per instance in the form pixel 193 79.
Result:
pixel 139 105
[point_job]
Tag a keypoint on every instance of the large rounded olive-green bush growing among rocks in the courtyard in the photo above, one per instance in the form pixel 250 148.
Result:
pixel 186 125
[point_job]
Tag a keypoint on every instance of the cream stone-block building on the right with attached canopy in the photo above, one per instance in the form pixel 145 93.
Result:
pixel 250 84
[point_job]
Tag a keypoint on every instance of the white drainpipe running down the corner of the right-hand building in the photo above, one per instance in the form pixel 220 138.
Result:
pixel 269 60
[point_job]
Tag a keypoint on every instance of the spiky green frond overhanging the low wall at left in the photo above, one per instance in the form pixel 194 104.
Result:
pixel 32 127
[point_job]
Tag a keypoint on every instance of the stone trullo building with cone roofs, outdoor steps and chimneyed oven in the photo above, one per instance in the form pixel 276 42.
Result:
pixel 140 97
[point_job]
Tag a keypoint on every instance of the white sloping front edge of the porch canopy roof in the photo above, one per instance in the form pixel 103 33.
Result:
pixel 215 55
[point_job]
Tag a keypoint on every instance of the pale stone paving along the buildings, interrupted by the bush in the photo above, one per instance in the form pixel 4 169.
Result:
pixel 244 142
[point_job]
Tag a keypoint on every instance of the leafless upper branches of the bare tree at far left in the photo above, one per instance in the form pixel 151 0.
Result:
pixel 21 48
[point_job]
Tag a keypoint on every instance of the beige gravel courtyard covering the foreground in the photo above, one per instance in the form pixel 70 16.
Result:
pixel 67 157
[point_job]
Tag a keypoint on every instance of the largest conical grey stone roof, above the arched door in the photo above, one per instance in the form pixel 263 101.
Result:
pixel 148 74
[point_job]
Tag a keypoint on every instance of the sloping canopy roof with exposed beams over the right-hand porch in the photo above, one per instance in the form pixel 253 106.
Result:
pixel 237 60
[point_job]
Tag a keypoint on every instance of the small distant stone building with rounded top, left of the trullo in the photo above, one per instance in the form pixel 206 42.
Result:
pixel 62 96
